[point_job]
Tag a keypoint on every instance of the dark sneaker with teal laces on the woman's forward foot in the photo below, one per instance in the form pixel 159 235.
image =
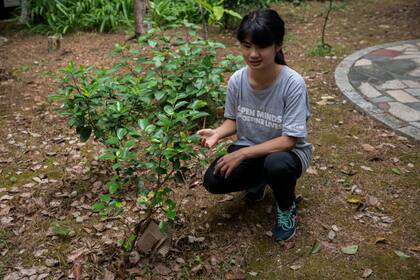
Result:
pixel 286 223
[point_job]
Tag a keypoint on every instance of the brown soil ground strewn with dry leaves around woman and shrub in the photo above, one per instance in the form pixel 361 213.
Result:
pixel 48 178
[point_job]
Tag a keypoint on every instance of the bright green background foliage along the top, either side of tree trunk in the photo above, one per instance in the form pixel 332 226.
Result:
pixel 62 16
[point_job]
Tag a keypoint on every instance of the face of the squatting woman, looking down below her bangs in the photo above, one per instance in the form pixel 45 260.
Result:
pixel 258 58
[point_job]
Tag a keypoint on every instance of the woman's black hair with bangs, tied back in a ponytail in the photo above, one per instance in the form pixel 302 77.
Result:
pixel 263 28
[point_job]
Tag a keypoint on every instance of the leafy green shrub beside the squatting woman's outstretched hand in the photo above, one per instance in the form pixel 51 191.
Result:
pixel 145 111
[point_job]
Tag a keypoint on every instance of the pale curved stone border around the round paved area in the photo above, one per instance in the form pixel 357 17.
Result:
pixel 361 104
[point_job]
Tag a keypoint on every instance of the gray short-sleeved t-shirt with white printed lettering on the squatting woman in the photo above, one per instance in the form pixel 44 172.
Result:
pixel 261 115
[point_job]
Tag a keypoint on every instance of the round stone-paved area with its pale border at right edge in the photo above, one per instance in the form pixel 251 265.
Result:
pixel 384 82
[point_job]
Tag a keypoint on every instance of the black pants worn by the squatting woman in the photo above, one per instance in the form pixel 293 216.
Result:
pixel 280 170
